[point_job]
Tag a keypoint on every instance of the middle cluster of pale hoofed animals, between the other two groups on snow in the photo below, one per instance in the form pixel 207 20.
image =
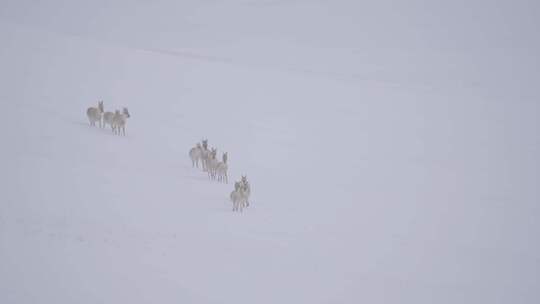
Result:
pixel 217 170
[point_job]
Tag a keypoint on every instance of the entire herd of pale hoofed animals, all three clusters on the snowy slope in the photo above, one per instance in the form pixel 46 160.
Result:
pixel 200 154
